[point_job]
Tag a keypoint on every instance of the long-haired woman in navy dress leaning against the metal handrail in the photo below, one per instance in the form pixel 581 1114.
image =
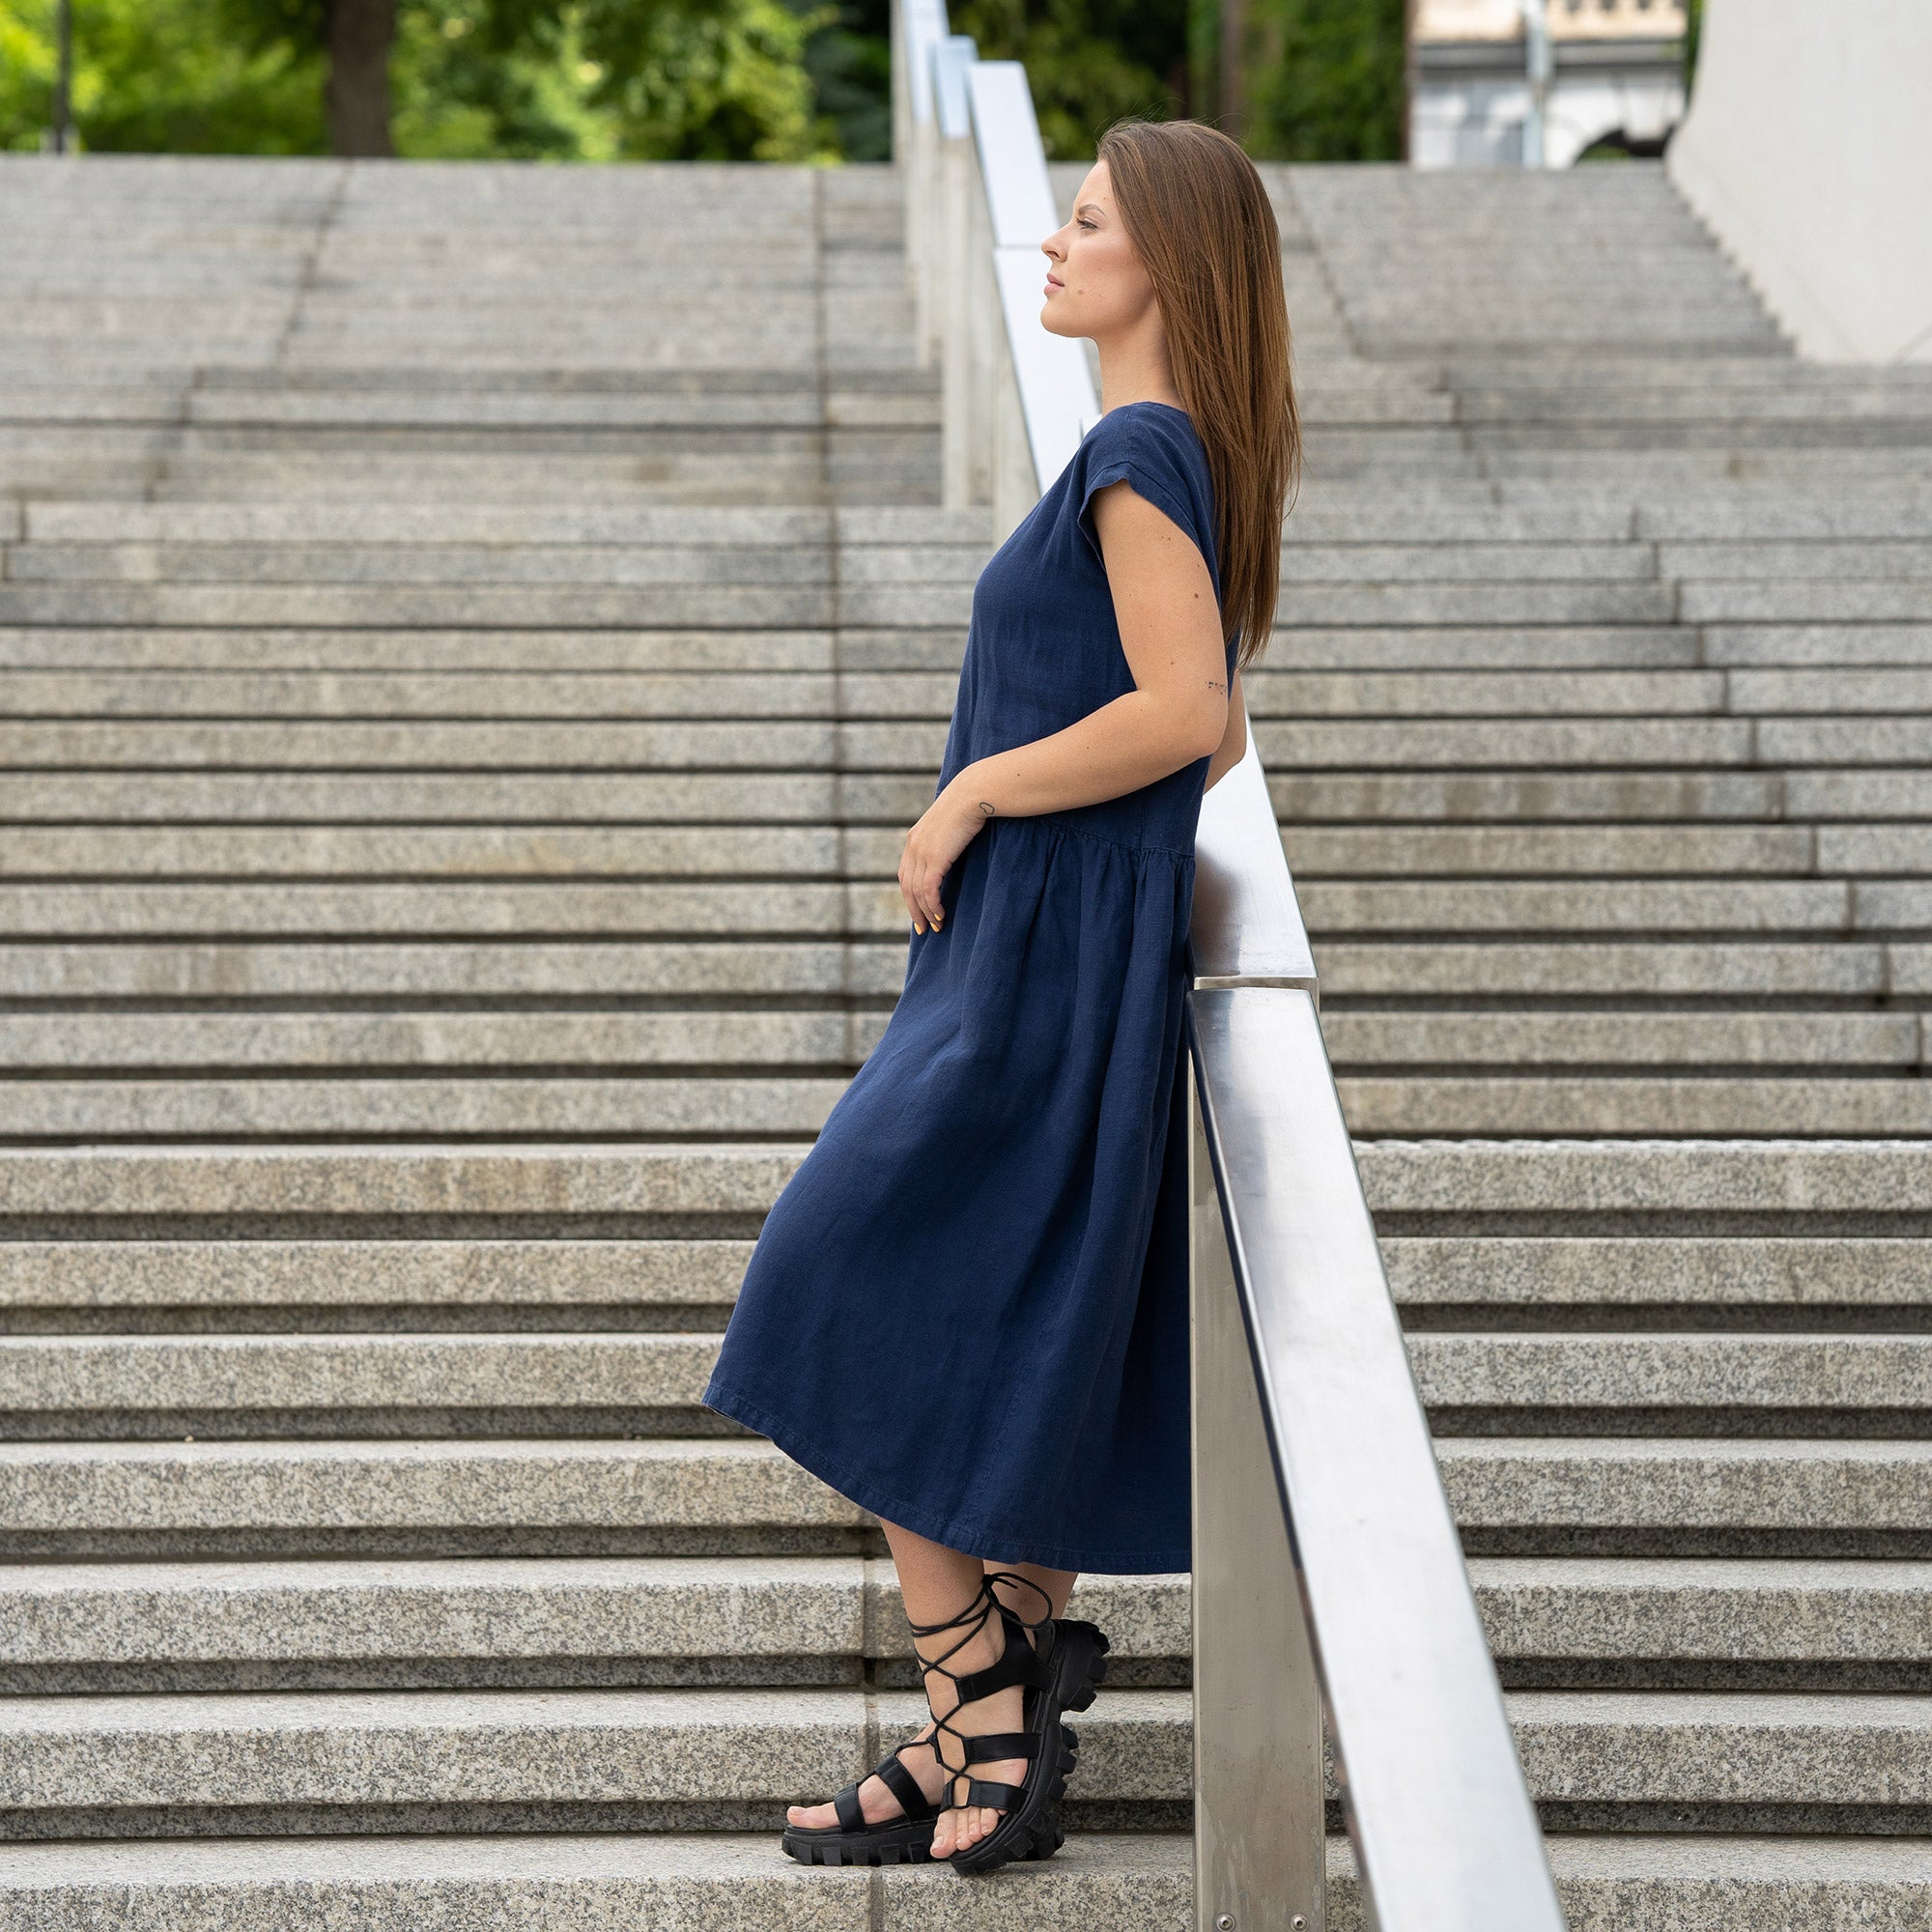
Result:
pixel 967 1311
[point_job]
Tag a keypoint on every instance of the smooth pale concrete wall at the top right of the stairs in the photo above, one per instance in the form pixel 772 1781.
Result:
pixel 1809 154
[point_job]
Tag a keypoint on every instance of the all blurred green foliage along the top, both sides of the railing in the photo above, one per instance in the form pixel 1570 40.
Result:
pixel 602 80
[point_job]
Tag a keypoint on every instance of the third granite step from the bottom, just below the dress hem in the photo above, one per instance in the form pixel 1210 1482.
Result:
pixel 575 1622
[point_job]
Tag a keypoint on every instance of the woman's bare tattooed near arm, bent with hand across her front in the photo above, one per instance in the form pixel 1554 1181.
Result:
pixel 1178 712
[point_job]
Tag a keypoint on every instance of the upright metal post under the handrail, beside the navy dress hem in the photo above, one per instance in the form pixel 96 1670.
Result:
pixel 1261 1838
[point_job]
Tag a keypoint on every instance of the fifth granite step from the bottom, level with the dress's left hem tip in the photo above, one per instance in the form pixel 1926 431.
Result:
pixel 544 1384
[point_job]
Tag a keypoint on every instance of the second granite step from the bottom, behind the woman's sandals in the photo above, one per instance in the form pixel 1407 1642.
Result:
pixel 731 1759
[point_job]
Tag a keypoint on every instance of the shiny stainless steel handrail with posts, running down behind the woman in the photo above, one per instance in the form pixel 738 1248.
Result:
pixel 1328 1568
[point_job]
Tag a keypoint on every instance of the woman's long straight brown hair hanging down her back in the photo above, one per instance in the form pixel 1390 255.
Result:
pixel 1203 225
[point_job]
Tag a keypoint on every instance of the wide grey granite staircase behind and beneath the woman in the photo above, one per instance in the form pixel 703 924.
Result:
pixel 470 644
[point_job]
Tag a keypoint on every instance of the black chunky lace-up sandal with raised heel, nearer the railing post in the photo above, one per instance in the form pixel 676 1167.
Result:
pixel 1060 1676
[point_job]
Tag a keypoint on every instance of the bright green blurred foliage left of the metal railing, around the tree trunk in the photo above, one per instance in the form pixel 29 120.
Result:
pixel 569 80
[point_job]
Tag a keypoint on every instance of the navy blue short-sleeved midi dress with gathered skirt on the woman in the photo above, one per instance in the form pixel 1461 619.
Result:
pixel 969 1307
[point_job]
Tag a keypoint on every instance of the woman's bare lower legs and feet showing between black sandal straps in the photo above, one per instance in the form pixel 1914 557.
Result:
pixel 946 1579
